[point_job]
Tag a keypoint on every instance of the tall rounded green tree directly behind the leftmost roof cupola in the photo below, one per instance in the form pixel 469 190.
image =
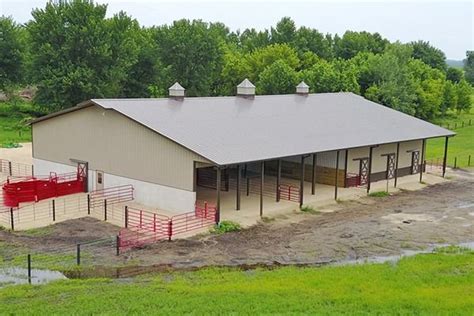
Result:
pixel 193 55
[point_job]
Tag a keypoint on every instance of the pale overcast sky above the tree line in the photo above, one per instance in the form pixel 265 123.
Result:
pixel 448 25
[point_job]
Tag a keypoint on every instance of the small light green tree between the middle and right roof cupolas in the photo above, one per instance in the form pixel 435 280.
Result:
pixel 278 78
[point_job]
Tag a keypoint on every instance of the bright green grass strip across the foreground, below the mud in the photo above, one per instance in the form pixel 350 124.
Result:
pixel 429 284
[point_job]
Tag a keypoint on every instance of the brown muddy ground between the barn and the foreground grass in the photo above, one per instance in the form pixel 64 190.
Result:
pixel 365 228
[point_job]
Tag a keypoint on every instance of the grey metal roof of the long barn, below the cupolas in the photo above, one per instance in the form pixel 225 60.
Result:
pixel 228 130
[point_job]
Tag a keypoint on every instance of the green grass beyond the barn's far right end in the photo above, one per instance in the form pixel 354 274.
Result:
pixel 460 146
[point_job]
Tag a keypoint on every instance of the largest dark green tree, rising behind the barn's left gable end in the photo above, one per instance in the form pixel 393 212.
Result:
pixel 72 59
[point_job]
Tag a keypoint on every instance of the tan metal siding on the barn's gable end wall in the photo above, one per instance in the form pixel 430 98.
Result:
pixel 114 144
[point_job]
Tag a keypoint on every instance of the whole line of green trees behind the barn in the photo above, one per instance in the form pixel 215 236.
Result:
pixel 71 52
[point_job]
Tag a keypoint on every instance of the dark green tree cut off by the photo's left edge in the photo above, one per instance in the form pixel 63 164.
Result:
pixel 12 53
